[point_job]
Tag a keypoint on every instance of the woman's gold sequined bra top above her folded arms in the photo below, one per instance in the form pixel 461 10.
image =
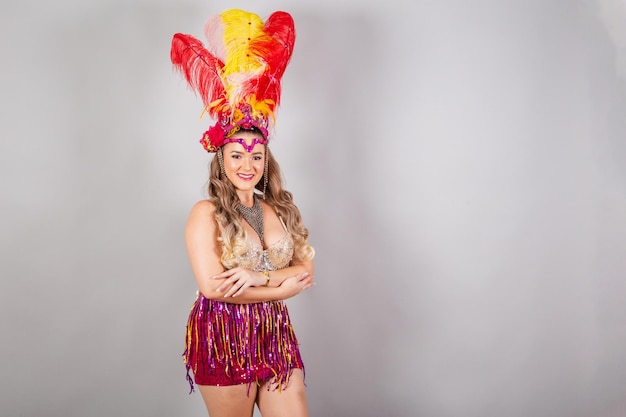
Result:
pixel 276 256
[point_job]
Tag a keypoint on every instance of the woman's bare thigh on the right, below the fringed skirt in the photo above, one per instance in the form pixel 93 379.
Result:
pixel 289 402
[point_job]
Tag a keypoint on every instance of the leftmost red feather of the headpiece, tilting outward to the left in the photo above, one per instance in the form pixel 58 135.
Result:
pixel 199 67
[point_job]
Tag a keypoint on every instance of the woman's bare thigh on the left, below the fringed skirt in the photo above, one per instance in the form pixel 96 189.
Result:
pixel 230 401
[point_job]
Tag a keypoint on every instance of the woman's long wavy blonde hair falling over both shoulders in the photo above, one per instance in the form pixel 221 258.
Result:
pixel 231 232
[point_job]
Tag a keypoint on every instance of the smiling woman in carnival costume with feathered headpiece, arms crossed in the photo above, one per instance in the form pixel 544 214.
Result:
pixel 248 253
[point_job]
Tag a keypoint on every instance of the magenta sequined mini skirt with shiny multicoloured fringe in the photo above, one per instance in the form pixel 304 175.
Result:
pixel 232 344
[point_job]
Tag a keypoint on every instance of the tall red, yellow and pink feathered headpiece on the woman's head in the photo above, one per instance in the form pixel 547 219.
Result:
pixel 238 76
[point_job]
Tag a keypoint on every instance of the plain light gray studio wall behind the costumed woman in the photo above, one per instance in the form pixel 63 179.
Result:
pixel 461 166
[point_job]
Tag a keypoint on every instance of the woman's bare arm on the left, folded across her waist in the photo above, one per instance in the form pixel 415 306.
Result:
pixel 203 249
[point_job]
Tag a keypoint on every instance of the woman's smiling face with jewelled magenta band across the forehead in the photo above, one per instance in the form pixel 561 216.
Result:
pixel 244 162
